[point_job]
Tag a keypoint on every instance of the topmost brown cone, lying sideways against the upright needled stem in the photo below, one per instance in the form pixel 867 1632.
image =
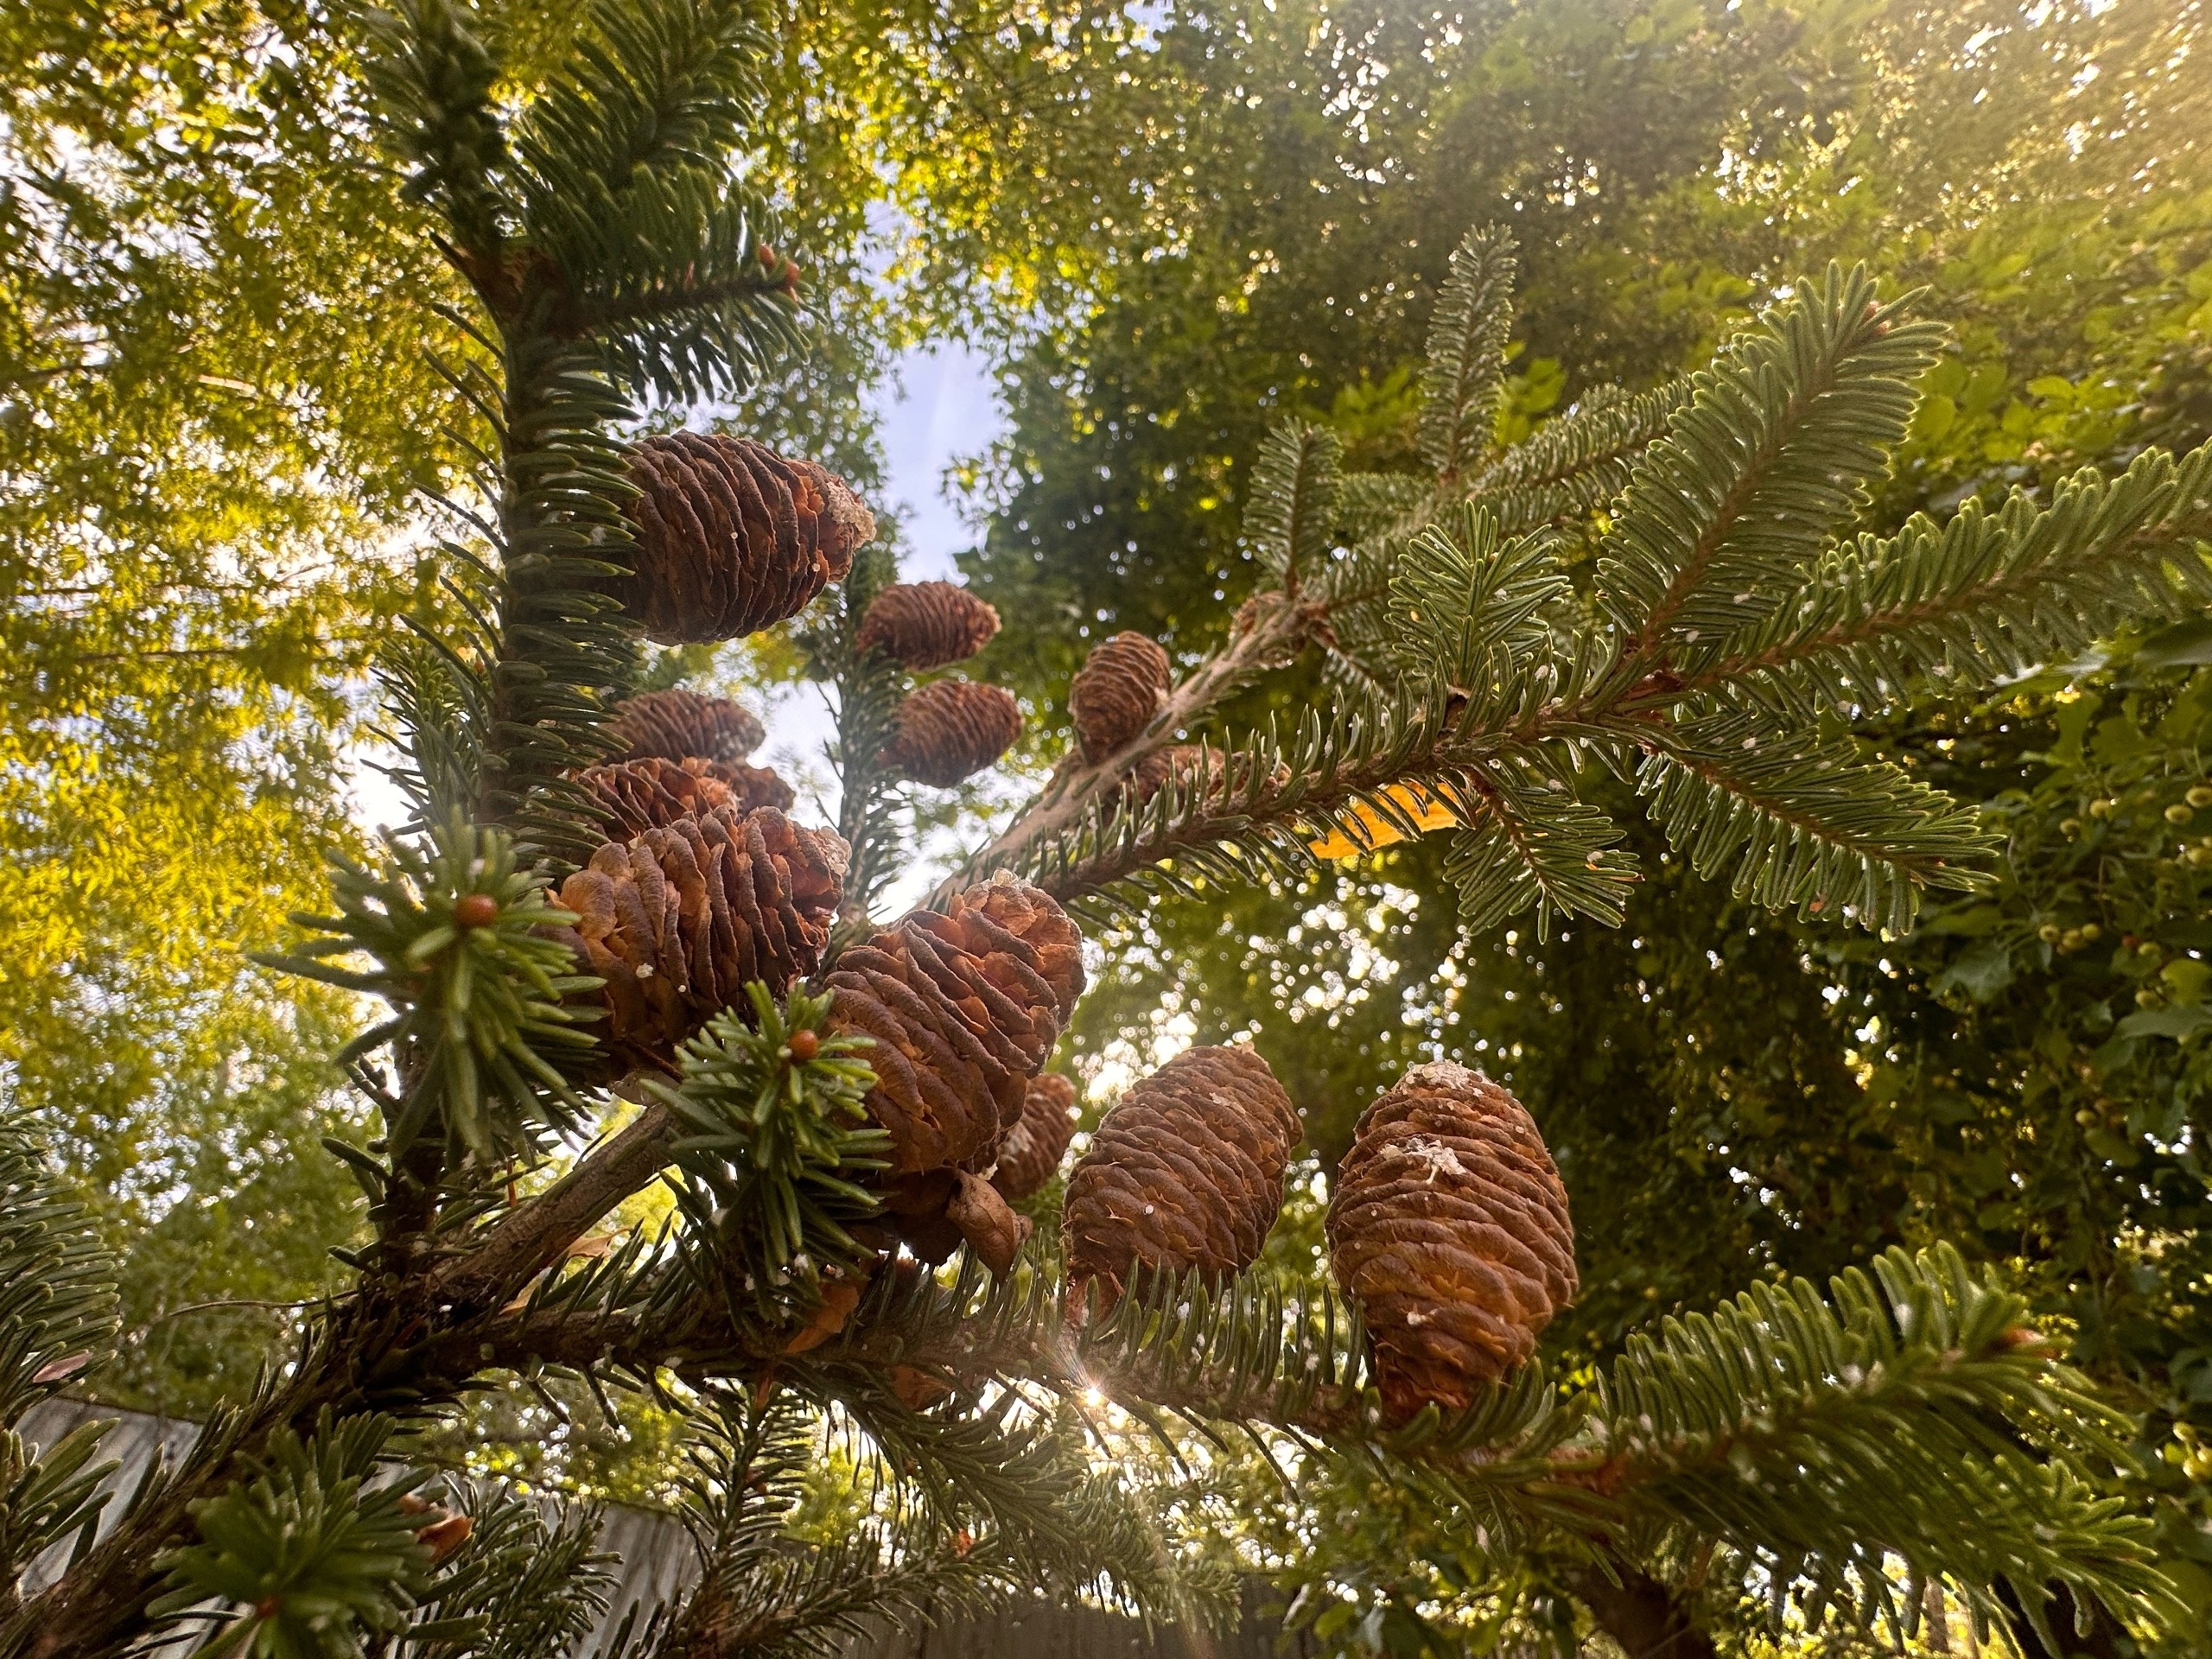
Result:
pixel 733 536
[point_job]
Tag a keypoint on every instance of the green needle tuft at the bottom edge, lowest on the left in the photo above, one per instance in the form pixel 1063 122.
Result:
pixel 304 1556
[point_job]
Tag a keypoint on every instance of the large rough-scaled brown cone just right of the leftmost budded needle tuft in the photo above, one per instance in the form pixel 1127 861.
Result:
pixel 682 917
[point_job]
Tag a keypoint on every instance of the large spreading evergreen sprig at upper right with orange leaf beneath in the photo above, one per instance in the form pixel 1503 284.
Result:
pixel 1726 632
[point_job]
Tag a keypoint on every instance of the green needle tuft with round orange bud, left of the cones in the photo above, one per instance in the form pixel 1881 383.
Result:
pixel 479 1003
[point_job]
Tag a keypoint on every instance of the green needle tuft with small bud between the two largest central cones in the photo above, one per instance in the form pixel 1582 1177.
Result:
pixel 773 1149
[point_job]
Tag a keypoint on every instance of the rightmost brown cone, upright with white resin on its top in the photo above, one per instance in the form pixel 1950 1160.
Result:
pixel 1450 1231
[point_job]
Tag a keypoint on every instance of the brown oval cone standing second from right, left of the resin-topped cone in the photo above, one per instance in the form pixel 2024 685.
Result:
pixel 1187 1171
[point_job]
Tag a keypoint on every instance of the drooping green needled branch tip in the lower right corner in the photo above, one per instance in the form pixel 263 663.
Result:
pixel 1912 1417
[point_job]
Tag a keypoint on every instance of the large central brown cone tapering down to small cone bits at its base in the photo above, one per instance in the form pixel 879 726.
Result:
pixel 966 1008
